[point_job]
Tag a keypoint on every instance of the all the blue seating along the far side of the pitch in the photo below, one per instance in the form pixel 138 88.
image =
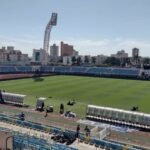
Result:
pixel 73 70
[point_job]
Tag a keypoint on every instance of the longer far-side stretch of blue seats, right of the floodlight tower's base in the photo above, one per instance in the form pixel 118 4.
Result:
pixel 92 70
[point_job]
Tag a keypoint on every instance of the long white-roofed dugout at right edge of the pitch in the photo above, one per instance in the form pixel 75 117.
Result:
pixel 118 116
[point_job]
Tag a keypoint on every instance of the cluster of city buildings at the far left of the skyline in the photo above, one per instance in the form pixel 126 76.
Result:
pixel 14 57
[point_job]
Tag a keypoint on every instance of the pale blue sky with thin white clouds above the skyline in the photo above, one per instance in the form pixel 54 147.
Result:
pixel 92 26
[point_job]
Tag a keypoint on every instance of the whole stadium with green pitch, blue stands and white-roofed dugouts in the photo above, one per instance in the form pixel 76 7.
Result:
pixel 112 102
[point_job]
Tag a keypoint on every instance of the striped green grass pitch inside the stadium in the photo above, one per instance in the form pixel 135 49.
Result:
pixel 116 93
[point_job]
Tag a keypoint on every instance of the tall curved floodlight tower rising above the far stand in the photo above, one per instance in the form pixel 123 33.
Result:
pixel 52 22
